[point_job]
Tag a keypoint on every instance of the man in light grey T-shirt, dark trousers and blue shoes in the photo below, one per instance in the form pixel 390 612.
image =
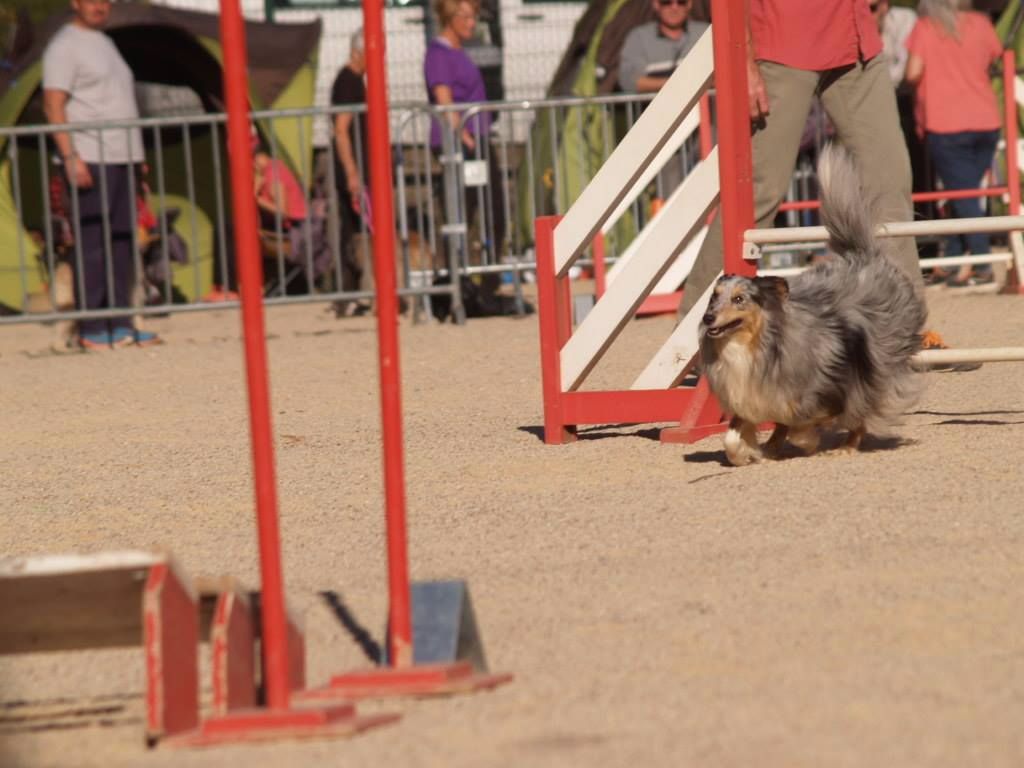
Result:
pixel 87 80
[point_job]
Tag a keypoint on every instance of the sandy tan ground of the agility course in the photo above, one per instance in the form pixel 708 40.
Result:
pixel 658 608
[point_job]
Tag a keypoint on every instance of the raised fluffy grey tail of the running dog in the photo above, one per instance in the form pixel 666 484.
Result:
pixel 845 214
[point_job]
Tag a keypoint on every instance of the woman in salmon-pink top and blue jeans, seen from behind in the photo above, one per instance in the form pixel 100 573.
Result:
pixel 952 52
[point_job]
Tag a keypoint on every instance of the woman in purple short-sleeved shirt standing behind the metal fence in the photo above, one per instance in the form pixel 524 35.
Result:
pixel 452 79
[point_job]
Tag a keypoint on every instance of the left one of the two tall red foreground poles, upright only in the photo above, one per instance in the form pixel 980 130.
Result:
pixel 251 284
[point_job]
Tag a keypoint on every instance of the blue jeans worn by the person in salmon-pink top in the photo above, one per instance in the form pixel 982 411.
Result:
pixel 961 160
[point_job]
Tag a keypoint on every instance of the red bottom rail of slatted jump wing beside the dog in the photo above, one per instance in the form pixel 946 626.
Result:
pixel 625 407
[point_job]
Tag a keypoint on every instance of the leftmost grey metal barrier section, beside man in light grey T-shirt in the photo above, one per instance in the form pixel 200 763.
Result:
pixel 165 222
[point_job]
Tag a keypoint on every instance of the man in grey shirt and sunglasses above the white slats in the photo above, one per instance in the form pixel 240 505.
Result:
pixel 652 51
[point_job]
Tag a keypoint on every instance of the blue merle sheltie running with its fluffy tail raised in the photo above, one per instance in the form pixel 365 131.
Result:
pixel 830 349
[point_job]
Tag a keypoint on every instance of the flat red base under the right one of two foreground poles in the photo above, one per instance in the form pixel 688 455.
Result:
pixel 425 680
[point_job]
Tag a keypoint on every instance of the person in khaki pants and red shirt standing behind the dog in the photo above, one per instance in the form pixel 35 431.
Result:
pixel 797 50
